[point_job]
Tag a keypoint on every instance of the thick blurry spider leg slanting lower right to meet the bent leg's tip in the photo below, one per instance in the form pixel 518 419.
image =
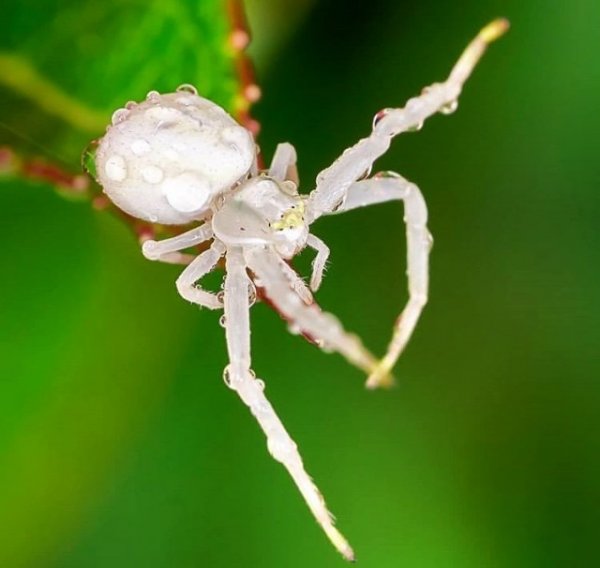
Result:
pixel 309 319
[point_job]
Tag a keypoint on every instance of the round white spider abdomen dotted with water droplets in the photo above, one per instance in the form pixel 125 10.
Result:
pixel 165 159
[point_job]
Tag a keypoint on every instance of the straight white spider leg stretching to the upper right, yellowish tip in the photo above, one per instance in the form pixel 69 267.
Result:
pixel 333 182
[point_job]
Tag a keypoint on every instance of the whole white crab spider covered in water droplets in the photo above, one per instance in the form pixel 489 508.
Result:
pixel 177 158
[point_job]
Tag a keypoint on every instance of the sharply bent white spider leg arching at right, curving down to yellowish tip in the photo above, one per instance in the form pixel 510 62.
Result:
pixel 388 187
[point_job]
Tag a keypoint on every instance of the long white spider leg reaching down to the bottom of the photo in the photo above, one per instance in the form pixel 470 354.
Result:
pixel 239 377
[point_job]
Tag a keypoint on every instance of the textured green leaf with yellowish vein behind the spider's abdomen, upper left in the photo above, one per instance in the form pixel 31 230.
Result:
pixel 65 66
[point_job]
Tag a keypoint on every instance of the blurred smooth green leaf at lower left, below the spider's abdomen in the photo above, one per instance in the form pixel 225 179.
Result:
pixel 69 415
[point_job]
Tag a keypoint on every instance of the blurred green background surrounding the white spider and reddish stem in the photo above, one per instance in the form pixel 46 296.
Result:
pixel 119 444
